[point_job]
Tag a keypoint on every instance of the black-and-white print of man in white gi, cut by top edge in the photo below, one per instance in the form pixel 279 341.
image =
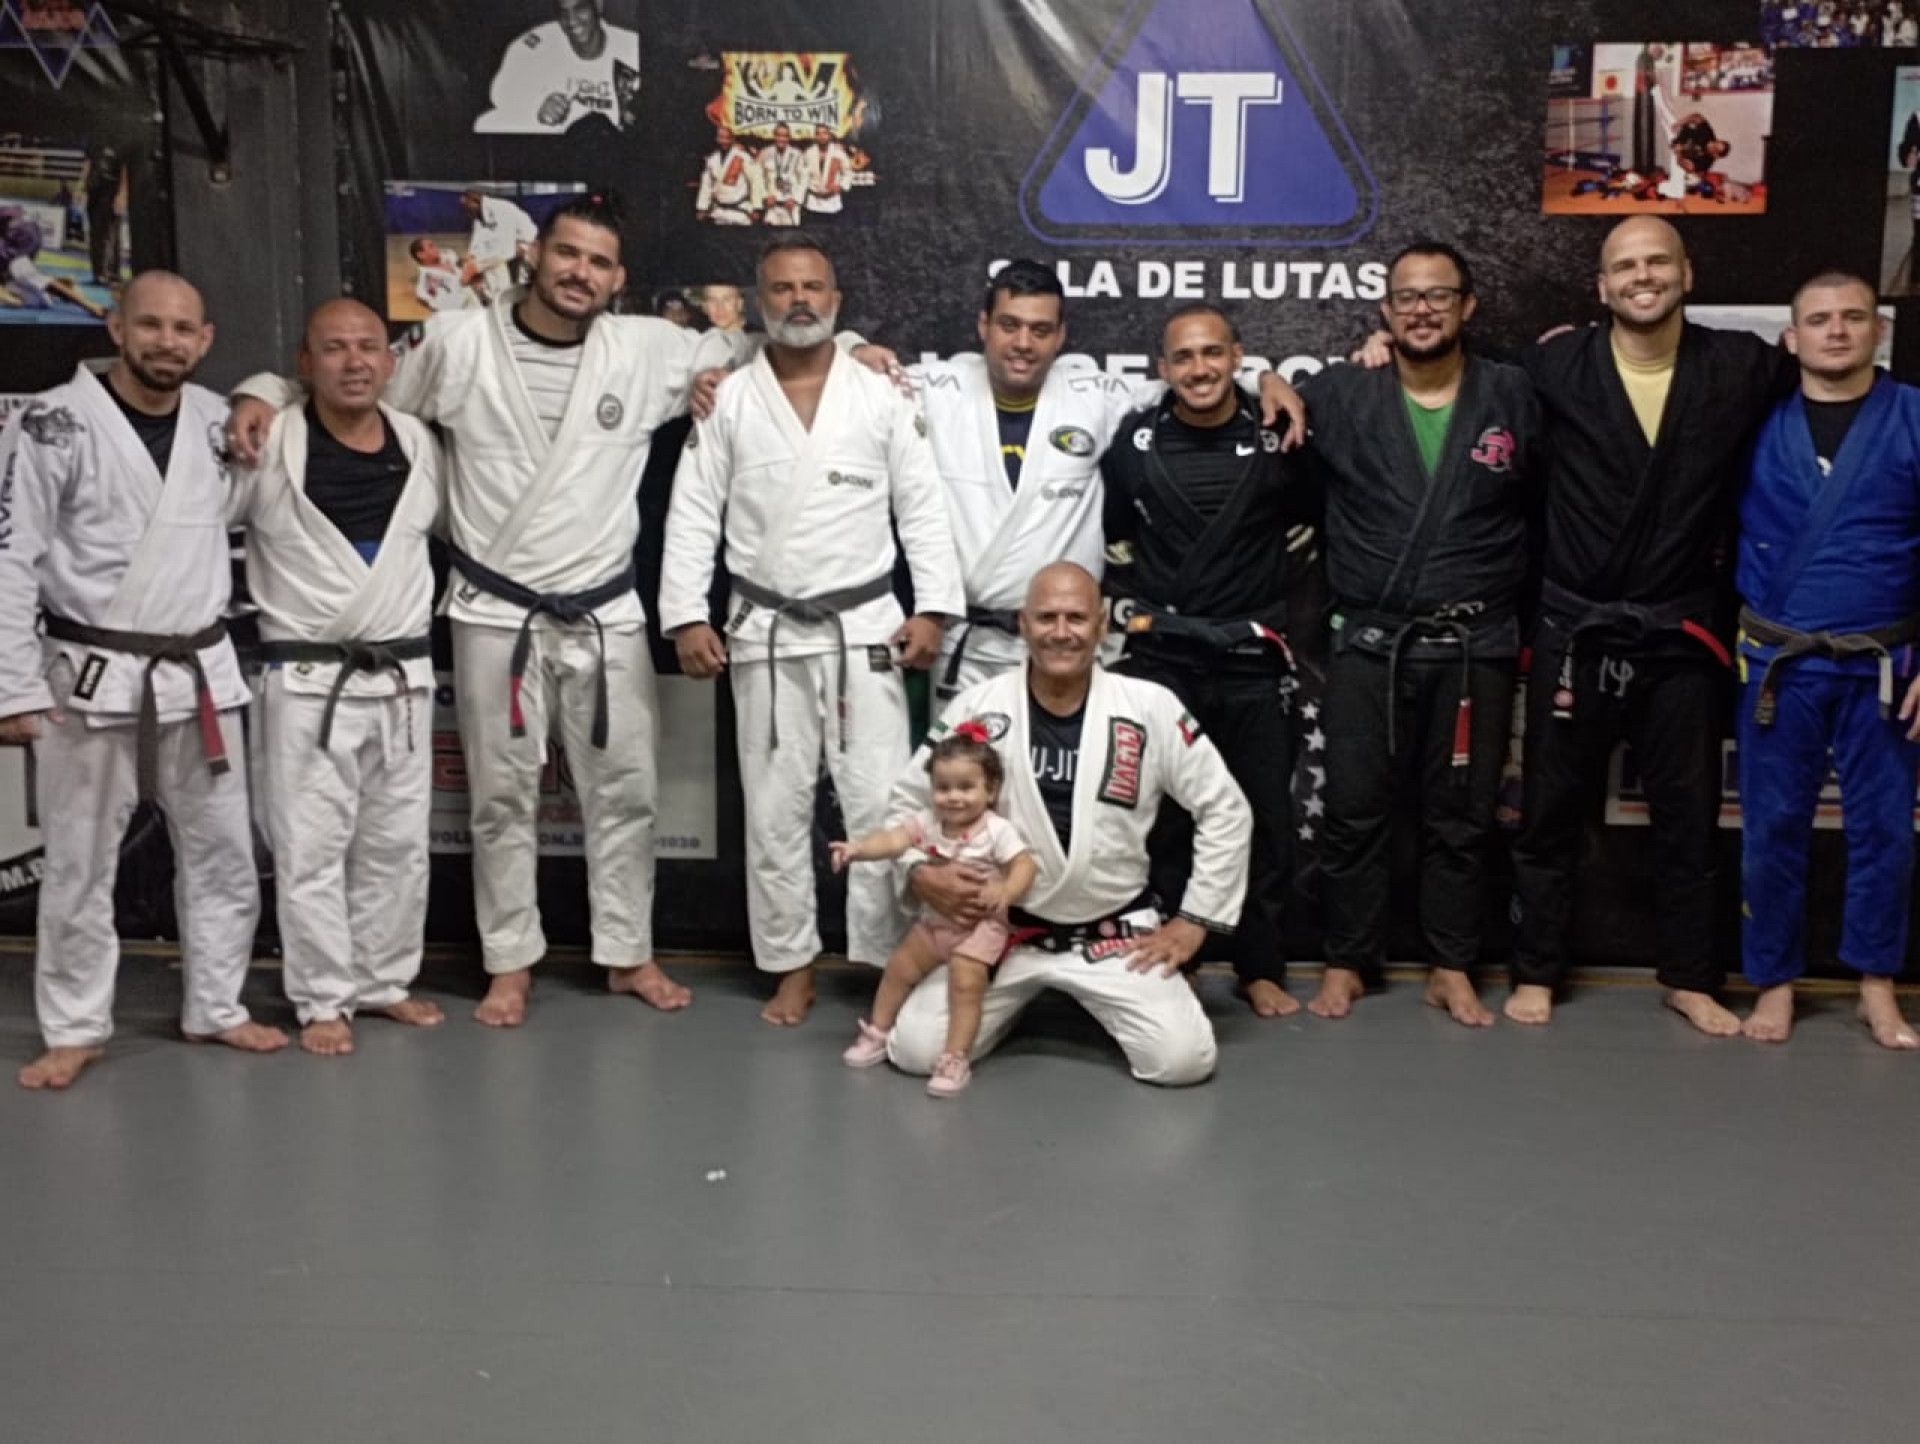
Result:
pixel 573 64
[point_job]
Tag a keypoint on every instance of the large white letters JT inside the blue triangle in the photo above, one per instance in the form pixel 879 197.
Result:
pixel 1224 95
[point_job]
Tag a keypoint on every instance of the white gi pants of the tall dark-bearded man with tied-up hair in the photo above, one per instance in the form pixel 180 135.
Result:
pixel 617 786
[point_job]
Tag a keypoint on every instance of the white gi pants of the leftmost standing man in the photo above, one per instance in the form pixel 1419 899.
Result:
pixel 87 790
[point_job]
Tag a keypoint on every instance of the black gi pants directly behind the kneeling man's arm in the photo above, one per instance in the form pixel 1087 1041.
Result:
pixel 1239 706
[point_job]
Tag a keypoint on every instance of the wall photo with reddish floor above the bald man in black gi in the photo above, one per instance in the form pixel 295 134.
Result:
pixel 1658 128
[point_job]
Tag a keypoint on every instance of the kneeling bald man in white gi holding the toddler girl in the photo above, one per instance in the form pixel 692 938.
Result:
pixel 1090 756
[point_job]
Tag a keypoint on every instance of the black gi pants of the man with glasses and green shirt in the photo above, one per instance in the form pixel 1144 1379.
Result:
pixel 1456 806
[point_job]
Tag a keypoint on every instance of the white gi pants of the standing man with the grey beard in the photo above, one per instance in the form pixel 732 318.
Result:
pixel 780 782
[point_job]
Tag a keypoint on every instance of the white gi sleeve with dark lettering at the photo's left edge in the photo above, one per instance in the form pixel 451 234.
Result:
pixel 30 506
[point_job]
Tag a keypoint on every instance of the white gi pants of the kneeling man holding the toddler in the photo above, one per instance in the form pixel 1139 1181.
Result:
pixel 1157 1021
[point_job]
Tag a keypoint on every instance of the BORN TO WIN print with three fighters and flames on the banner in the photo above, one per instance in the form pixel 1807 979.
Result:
pixel 790 135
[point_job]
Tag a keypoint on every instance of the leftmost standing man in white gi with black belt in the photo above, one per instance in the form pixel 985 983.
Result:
pixel 112 535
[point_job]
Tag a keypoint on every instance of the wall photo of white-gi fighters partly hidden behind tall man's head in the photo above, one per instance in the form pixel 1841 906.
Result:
pixel 456 245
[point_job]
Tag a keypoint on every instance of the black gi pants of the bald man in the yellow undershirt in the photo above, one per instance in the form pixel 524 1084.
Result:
pixel 1669 710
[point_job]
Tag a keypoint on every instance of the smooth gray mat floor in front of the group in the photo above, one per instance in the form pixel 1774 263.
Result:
pixel 615 1226
